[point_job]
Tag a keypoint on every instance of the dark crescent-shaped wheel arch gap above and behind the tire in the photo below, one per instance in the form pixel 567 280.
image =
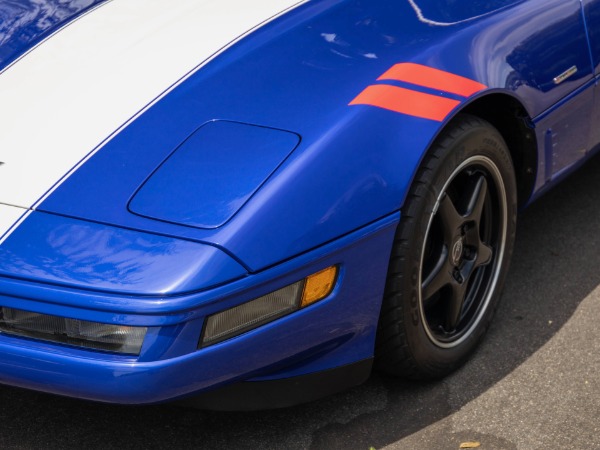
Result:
pixel 511 119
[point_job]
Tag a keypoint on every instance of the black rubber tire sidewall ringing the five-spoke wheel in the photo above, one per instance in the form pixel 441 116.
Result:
pixel 478 140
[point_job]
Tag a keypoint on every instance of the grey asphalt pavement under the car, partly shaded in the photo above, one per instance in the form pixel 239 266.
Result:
pixel 532 384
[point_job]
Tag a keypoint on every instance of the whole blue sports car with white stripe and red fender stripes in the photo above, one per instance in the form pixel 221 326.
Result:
pixel 252 204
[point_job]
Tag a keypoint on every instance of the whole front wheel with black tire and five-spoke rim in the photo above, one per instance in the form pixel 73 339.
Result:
pixel 451 253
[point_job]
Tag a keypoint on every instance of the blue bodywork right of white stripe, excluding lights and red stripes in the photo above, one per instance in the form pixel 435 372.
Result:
pixel 334 199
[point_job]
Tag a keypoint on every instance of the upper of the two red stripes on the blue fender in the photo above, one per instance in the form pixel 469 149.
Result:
pixel 433 78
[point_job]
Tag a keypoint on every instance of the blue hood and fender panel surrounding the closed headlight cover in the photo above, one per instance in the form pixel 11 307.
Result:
pixel 318 60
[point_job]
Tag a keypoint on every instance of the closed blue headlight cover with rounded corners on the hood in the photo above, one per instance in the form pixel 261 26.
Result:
pixel 213 174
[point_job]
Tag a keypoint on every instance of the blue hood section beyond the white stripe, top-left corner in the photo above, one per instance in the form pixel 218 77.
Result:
pixel 25 23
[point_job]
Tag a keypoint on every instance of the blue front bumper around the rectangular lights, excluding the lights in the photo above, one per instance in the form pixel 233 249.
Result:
pixel 335 332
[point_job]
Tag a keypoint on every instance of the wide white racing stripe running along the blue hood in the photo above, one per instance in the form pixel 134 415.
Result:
pixel 63 99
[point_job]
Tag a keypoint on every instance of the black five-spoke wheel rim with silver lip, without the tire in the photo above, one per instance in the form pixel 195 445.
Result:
pixel 464 243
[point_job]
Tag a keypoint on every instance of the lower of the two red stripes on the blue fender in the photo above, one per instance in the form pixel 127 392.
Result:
pixel 405 101
